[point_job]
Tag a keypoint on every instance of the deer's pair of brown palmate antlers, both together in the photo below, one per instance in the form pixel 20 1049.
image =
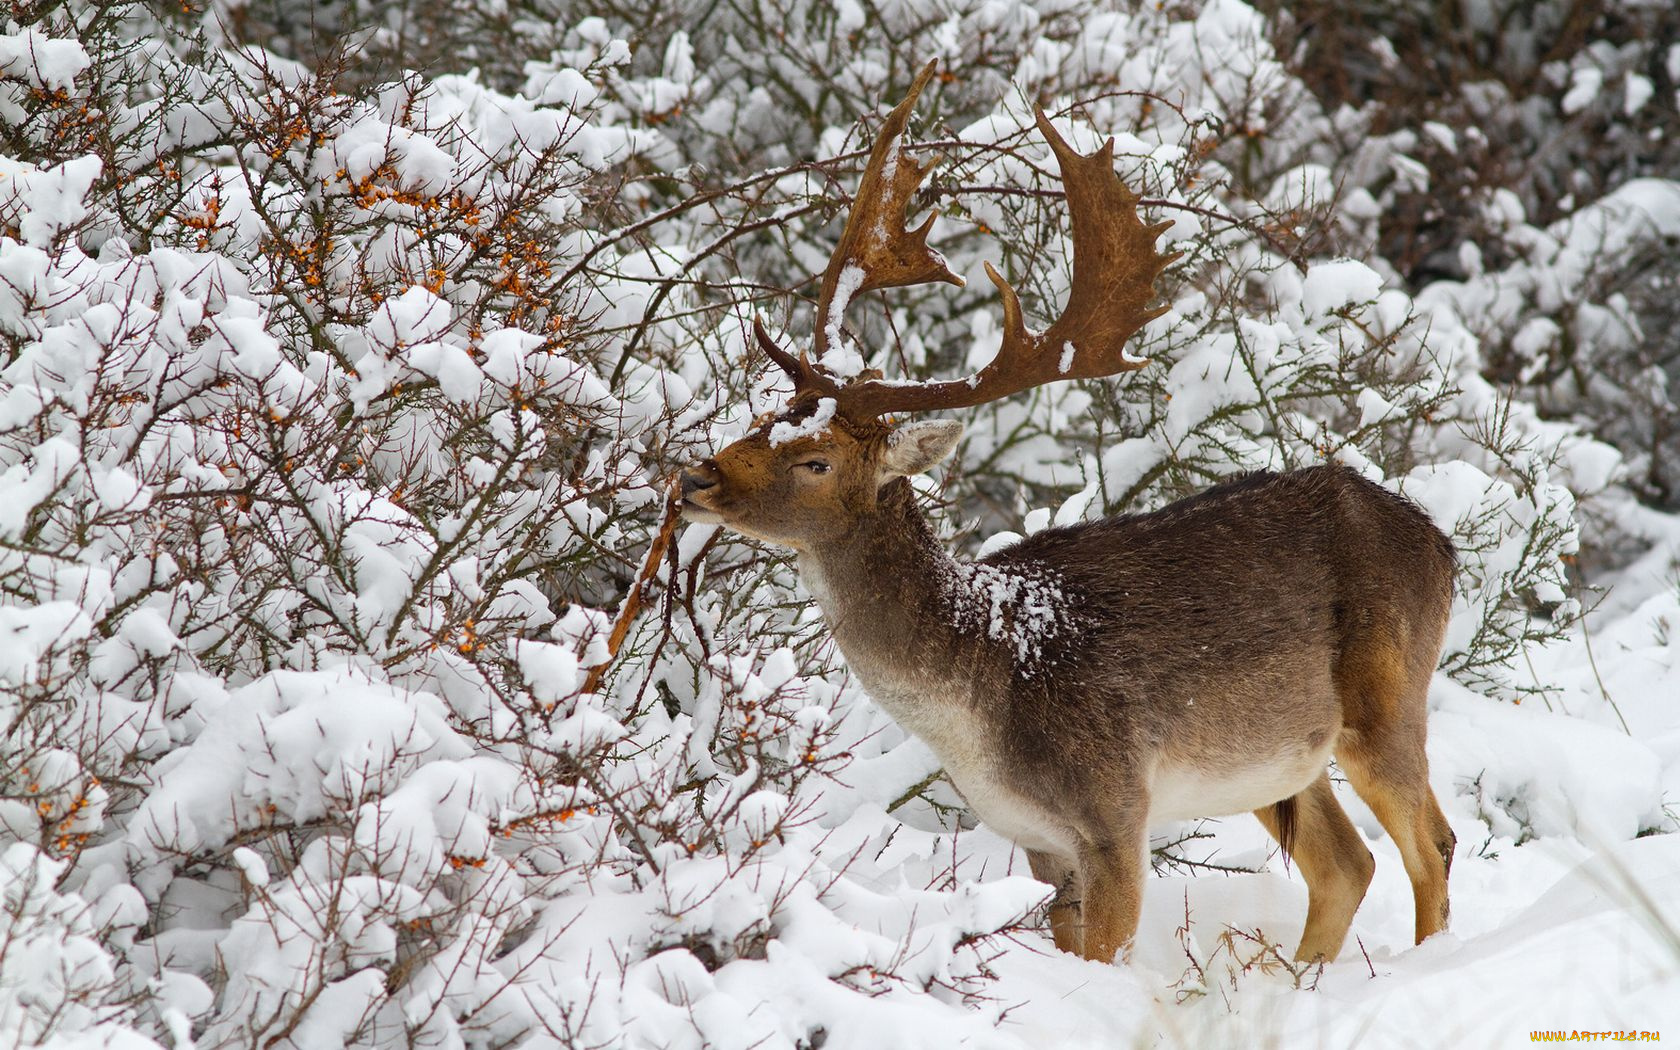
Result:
pixel 1115 271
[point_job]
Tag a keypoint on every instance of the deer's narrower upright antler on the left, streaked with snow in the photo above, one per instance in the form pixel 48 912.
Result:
pixel 876 249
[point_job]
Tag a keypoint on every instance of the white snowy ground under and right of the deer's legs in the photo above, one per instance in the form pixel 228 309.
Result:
pixel 1550 935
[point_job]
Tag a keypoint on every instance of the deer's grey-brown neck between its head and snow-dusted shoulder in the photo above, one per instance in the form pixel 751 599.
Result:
pixel 888 594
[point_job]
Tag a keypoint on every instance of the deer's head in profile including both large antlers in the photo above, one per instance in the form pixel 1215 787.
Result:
pixel 806 475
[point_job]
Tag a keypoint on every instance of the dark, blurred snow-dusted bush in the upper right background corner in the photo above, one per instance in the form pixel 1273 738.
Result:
pixel 1513 149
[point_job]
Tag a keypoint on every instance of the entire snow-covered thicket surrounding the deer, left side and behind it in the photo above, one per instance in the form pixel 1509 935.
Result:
pixel 359 685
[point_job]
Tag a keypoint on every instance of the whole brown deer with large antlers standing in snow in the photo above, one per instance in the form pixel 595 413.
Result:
pixel 1096 680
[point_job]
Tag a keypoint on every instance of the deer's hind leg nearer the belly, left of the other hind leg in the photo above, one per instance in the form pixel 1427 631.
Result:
pixel 1333 859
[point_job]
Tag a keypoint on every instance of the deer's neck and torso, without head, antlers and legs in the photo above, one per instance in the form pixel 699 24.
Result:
pixel 1261 604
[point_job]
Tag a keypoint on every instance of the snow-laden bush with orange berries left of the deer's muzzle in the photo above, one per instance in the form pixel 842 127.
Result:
pixel 322 488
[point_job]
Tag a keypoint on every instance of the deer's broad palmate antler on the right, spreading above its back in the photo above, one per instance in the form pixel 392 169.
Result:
pixel 1115 271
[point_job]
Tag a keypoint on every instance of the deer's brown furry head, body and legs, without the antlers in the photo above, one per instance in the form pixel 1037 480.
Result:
pixel 1195 659
